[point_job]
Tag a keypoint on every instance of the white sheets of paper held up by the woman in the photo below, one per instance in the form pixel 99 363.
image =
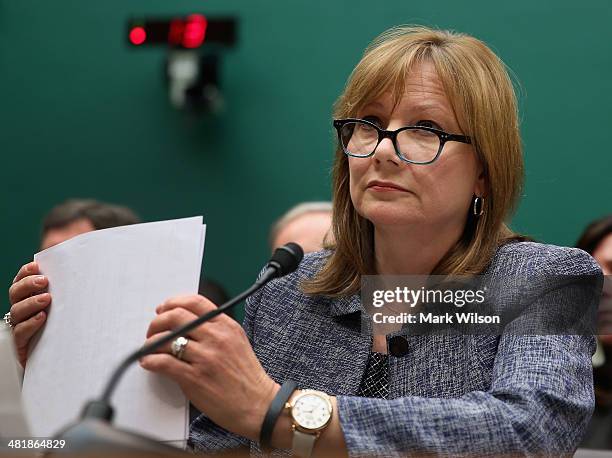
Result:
pixel 105 286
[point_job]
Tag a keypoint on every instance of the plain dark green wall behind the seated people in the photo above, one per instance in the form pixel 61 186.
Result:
pixel 81 114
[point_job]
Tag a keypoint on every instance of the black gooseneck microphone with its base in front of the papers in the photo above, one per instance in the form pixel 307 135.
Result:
pixel 94 428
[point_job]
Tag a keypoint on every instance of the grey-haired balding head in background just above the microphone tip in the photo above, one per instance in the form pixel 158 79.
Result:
pixel 306 224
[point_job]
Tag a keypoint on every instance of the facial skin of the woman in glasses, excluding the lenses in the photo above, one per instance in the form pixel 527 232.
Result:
pixel 434 195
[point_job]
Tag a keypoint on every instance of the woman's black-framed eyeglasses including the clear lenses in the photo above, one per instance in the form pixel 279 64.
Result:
pixel 413 144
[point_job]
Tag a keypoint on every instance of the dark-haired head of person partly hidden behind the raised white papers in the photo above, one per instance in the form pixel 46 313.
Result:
pixel 77 216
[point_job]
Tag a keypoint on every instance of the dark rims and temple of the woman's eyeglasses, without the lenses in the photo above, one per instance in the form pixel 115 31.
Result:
pixel 392 135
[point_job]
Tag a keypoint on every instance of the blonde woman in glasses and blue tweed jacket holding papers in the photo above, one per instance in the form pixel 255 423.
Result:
pixel 429 198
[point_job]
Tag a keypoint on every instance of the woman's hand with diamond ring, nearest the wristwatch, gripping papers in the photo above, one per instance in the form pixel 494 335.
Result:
pixel 219 371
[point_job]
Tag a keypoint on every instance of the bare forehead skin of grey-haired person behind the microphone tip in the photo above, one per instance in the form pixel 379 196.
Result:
pixel 307 230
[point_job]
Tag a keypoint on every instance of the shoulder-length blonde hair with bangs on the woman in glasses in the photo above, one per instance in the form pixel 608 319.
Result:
pixel 482 96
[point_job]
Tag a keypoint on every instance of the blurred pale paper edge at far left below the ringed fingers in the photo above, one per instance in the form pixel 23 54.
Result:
pixel 13 422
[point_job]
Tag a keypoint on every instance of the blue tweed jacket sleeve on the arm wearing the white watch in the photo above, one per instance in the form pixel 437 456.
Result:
pixel 539 402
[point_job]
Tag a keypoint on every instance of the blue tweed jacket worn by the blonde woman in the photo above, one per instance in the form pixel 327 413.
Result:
pixel 449 395
